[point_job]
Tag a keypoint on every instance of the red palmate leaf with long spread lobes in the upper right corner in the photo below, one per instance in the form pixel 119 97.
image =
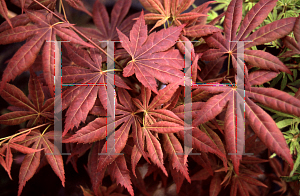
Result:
pixel 227 43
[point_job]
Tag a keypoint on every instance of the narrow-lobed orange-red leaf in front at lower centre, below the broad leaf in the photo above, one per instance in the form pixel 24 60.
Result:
pixel 149 124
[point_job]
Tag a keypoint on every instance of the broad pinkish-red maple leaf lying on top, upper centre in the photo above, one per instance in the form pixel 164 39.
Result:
pixel 150 55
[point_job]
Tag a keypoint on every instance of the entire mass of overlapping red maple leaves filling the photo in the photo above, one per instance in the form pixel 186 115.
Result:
pixel 148 110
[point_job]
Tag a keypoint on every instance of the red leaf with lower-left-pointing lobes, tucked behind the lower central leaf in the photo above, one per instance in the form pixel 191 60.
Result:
pixel 97 130
